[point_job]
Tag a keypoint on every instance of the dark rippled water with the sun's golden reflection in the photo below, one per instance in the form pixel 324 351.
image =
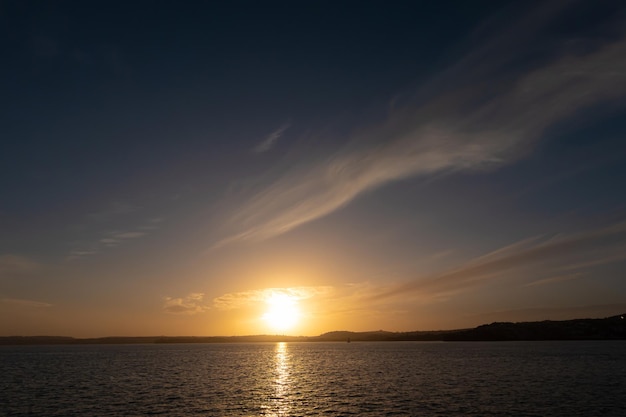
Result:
pixel 310 379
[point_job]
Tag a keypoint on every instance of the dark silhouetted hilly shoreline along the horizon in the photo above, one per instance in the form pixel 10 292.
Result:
pixel 610 328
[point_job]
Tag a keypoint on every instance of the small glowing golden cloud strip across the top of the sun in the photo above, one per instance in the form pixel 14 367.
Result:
pixel 246 298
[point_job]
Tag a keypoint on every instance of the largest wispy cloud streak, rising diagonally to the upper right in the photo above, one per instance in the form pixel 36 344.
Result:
pixel 472 118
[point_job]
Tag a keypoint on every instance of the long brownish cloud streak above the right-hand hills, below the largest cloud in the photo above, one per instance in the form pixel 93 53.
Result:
pixel 585 249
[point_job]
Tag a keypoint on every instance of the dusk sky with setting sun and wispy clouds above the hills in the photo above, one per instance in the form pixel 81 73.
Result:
pixel 280 167
